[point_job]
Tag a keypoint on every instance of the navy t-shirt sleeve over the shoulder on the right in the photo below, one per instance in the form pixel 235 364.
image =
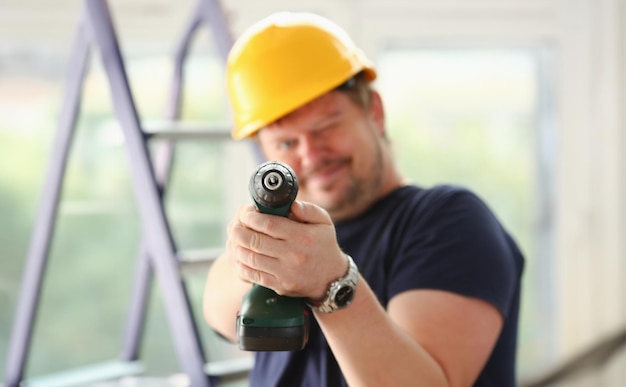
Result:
pixel 455 243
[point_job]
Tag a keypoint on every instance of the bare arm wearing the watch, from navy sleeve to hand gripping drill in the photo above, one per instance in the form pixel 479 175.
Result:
pixel 434 338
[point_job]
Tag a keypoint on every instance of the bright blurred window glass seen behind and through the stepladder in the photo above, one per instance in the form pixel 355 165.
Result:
pixel 92 261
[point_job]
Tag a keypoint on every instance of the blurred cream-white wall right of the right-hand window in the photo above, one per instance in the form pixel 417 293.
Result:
pixel 591 184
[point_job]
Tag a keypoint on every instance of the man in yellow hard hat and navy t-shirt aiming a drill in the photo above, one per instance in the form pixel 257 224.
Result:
pixel 437 278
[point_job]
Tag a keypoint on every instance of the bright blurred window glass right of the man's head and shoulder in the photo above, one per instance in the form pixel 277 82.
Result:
pixel 469 117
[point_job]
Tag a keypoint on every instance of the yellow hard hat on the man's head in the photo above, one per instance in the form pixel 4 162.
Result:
pixel 284 61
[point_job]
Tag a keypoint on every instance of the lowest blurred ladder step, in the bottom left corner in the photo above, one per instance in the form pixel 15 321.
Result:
pixel 86 375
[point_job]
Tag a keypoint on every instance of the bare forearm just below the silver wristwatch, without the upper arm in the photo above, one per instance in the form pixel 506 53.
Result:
pixel 373 351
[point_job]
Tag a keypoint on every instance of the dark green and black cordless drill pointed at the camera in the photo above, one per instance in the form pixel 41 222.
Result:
pixel 267 321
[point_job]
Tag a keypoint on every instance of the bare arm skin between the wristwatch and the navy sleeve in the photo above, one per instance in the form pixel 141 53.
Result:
pixel 426 337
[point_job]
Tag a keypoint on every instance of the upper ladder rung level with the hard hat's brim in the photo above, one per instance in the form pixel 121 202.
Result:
pixel 187 131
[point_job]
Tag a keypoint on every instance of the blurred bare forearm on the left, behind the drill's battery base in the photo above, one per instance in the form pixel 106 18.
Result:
pixel 222 298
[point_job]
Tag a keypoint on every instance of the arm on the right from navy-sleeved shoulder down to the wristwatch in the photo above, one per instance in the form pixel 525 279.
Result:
pixel 451 332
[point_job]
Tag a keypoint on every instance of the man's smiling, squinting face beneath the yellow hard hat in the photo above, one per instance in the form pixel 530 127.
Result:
pixel 335 148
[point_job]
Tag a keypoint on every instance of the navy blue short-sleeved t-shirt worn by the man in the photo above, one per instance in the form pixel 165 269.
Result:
pixel 442 238
